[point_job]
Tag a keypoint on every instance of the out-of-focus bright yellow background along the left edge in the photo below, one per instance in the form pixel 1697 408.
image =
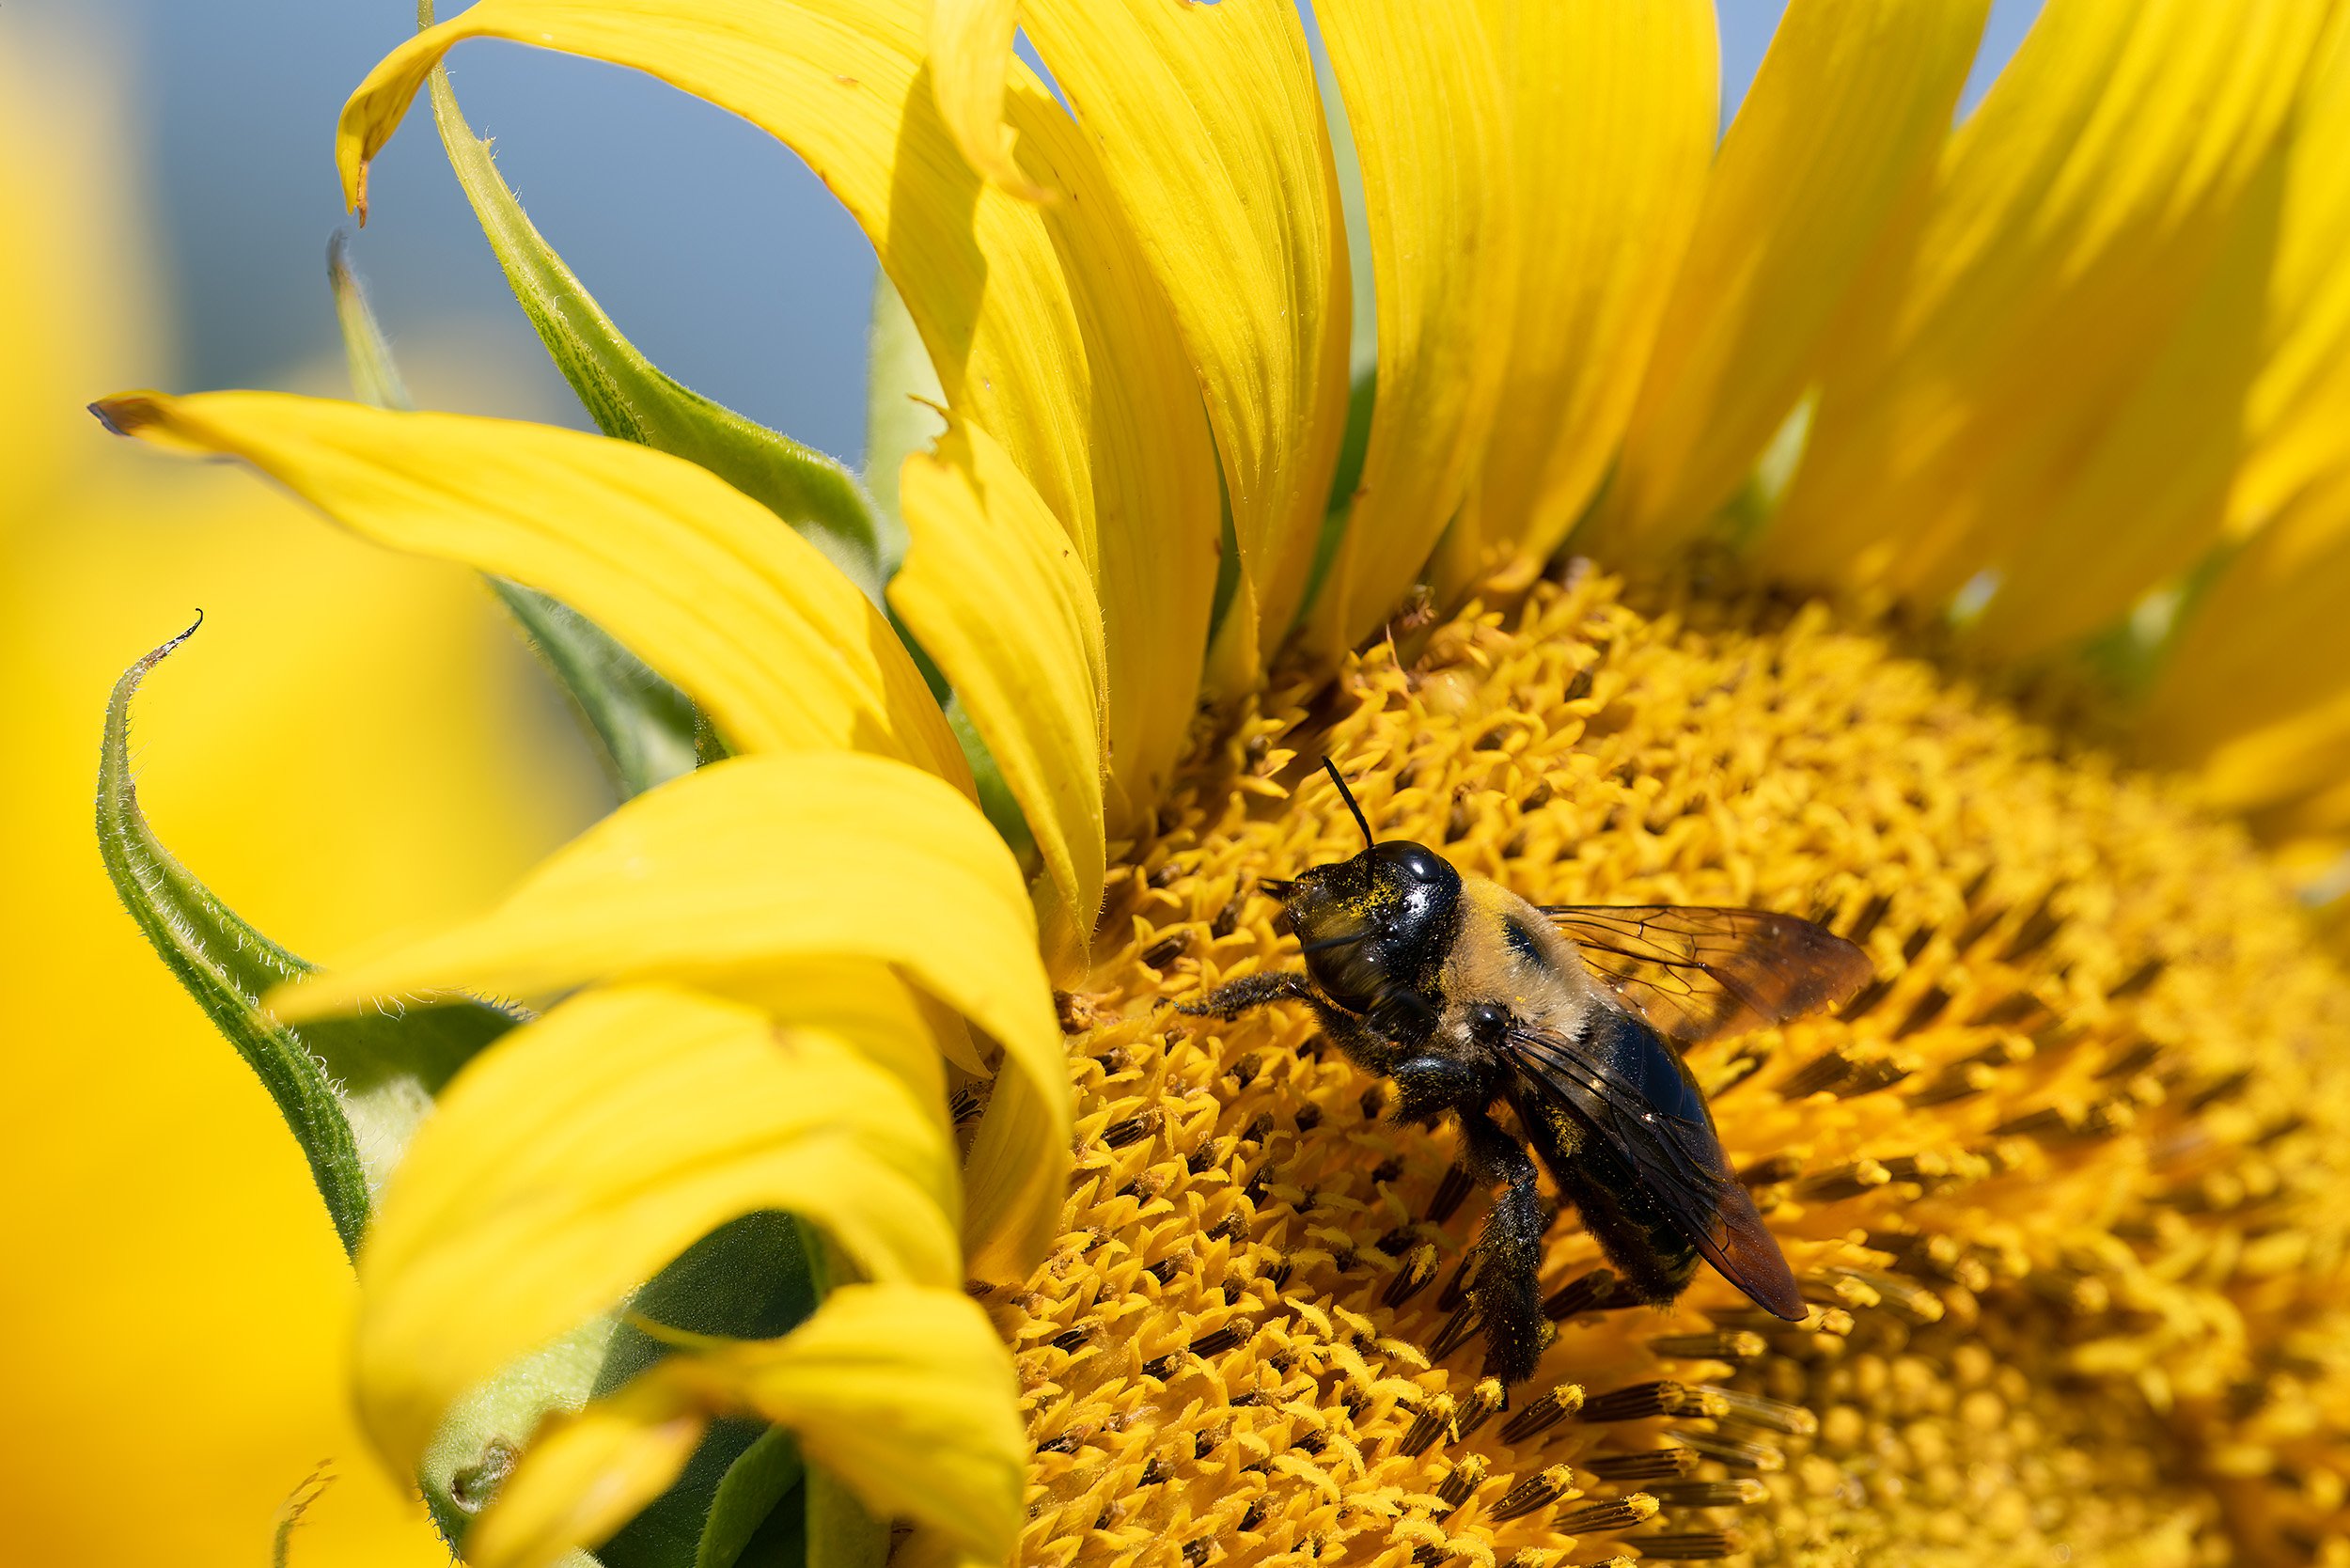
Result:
pixel 349 746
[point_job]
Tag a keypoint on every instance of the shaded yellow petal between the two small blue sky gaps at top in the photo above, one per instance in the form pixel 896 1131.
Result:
pixel 1841 128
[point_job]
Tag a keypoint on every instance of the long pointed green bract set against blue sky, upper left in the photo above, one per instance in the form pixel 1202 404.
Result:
pixel 633 401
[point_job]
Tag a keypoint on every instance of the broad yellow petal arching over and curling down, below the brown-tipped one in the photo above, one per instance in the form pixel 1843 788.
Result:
pixel 784 859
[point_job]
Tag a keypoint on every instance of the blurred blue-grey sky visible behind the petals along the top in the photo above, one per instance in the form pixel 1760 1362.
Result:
pixel 713 248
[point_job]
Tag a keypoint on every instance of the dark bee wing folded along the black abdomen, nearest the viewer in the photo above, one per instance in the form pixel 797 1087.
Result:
pixel 1625 1085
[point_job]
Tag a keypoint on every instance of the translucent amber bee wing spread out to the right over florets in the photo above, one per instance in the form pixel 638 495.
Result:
pixel 1700 974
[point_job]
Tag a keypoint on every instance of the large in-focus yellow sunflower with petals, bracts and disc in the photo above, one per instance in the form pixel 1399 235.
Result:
pixel 1926 485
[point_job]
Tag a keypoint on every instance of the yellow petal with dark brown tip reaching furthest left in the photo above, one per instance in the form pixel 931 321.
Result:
pixel 685 570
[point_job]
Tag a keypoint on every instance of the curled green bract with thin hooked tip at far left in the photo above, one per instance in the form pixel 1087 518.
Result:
pixel 351 1090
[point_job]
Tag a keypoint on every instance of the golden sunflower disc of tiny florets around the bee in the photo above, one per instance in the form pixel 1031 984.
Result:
pixel 2062 1186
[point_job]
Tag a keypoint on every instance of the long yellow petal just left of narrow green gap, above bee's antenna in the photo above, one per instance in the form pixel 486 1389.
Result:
pixel 1214 142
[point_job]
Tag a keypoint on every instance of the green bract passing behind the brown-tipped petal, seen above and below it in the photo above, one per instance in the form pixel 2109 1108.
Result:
pixel 645 728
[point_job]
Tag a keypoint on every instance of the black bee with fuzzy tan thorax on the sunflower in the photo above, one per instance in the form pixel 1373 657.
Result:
pixel 1470 998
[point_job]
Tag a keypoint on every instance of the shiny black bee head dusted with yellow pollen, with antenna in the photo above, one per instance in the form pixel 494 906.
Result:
pixel 1378 923
